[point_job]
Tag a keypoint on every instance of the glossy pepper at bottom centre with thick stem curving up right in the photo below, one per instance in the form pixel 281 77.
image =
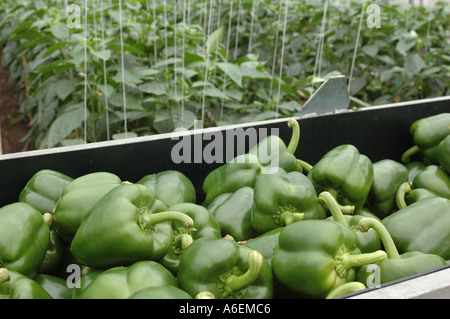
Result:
pixel 225 269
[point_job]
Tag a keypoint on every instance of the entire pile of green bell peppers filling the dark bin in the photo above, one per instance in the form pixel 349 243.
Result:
pixel 297 230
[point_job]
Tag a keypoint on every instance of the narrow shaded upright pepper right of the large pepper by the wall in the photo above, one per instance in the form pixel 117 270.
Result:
pixel 388 175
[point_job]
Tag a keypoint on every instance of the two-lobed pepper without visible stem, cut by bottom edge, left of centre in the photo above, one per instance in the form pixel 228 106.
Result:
pixel 123 282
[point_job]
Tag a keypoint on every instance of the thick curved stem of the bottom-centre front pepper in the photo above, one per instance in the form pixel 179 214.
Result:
pixel 235 283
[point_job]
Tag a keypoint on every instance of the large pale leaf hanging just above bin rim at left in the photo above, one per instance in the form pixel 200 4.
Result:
pixel 64 124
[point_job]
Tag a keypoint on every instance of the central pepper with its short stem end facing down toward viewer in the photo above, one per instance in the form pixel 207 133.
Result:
pixel 281 198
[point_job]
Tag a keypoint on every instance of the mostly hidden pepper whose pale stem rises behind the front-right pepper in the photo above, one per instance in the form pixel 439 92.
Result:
pixel 367 242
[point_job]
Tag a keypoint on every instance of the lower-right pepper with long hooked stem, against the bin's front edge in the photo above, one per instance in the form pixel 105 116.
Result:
pixel 396 266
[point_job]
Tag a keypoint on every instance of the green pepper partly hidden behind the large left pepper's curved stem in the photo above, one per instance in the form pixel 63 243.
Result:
pixel 205 226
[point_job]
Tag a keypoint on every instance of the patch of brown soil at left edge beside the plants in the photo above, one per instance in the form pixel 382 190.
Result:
pixel 11 132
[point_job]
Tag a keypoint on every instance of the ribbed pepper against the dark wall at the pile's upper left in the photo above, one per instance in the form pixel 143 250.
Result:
pixel 44 189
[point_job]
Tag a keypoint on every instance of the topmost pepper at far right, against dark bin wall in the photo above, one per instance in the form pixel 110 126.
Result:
pixel 426 134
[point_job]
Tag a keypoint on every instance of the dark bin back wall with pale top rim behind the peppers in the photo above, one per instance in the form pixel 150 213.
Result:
pixel 378 132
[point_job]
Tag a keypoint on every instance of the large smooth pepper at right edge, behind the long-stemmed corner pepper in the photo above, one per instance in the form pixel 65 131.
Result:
pixel 422 226
